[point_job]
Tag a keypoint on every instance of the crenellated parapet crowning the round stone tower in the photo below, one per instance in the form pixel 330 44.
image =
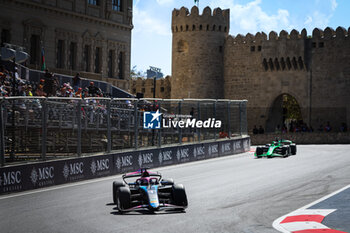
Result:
pixel 185 21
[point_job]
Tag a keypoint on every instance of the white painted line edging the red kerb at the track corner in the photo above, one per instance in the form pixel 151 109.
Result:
pixel 276 223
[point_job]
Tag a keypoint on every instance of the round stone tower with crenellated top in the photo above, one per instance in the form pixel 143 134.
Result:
pixel 198 53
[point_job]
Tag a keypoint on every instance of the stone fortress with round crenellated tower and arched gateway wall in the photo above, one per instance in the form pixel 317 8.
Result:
pixel 313 69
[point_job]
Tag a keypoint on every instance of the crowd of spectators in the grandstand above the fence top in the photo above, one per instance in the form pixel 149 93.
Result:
pixel 12 85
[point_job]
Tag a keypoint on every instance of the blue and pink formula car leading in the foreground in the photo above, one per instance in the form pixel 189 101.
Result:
pixel 149 191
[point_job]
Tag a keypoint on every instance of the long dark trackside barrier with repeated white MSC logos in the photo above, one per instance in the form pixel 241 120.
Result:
pixel 44 174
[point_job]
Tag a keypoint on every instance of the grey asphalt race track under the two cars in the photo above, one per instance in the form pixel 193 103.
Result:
pixel 230 194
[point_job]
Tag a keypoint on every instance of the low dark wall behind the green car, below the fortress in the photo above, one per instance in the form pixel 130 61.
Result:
pixel 303 138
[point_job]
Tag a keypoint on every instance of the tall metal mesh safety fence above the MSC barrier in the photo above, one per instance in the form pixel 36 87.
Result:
pixel 39 128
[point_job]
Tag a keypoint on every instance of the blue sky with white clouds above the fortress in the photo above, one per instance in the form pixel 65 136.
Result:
pixel 152 38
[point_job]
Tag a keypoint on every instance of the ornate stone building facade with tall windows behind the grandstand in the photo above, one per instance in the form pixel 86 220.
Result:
pixel 91 37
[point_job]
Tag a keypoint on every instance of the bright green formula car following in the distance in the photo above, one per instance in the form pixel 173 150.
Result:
pixel 278 148
